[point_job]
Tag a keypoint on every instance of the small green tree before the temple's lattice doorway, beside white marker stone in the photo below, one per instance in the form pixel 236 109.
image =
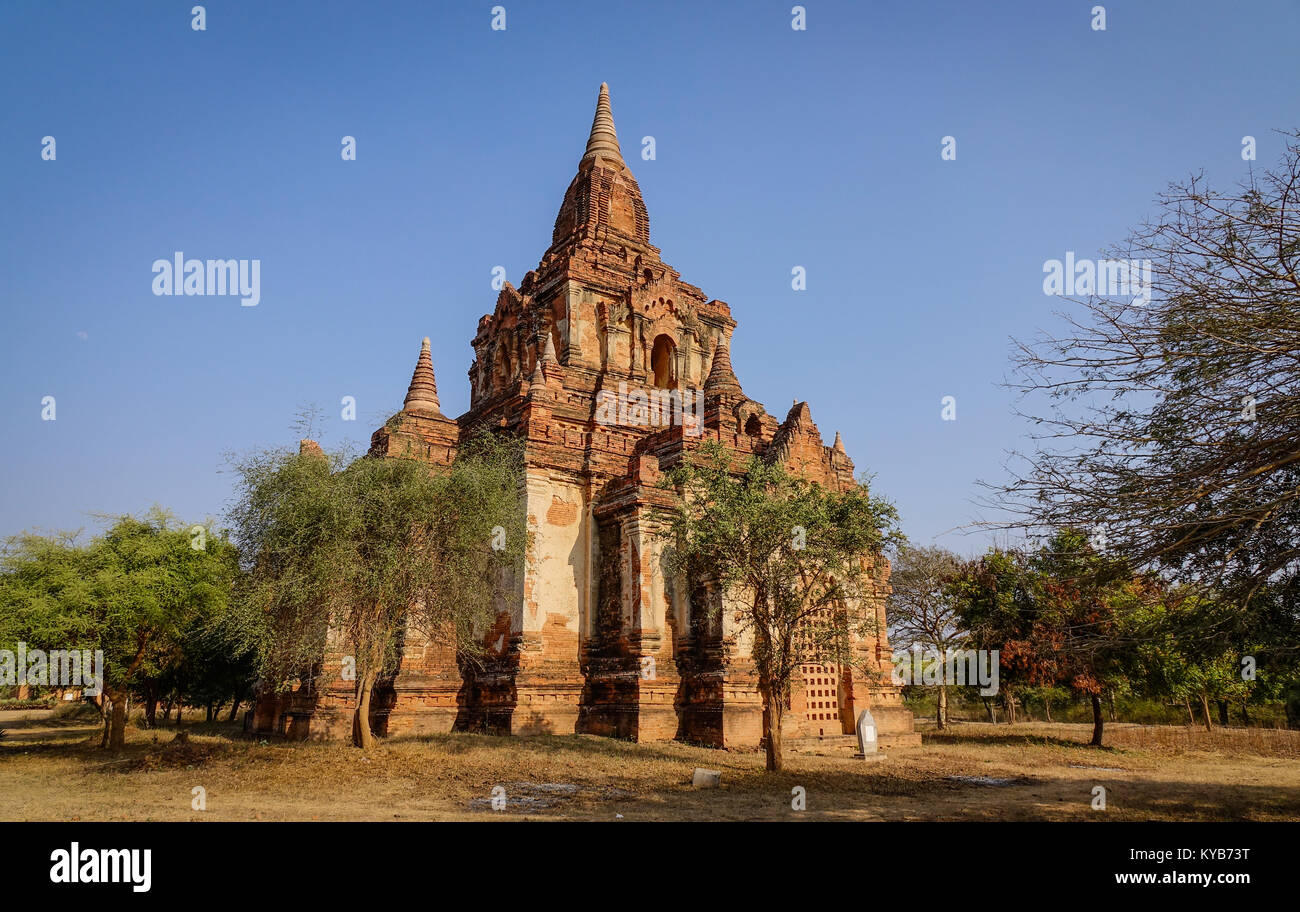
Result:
pixel 796 563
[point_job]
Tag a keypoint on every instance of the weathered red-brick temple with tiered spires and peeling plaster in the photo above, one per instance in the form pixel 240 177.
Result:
pixel 595 640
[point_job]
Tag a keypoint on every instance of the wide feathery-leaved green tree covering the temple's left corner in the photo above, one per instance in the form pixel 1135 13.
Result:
pixel 370 548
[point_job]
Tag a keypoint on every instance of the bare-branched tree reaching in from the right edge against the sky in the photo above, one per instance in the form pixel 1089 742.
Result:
pixel 1171 429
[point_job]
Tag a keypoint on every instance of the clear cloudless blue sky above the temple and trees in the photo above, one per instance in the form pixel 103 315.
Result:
pixel 774 149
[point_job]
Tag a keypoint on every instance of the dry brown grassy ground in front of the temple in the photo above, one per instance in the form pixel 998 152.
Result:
pixel 50 771
